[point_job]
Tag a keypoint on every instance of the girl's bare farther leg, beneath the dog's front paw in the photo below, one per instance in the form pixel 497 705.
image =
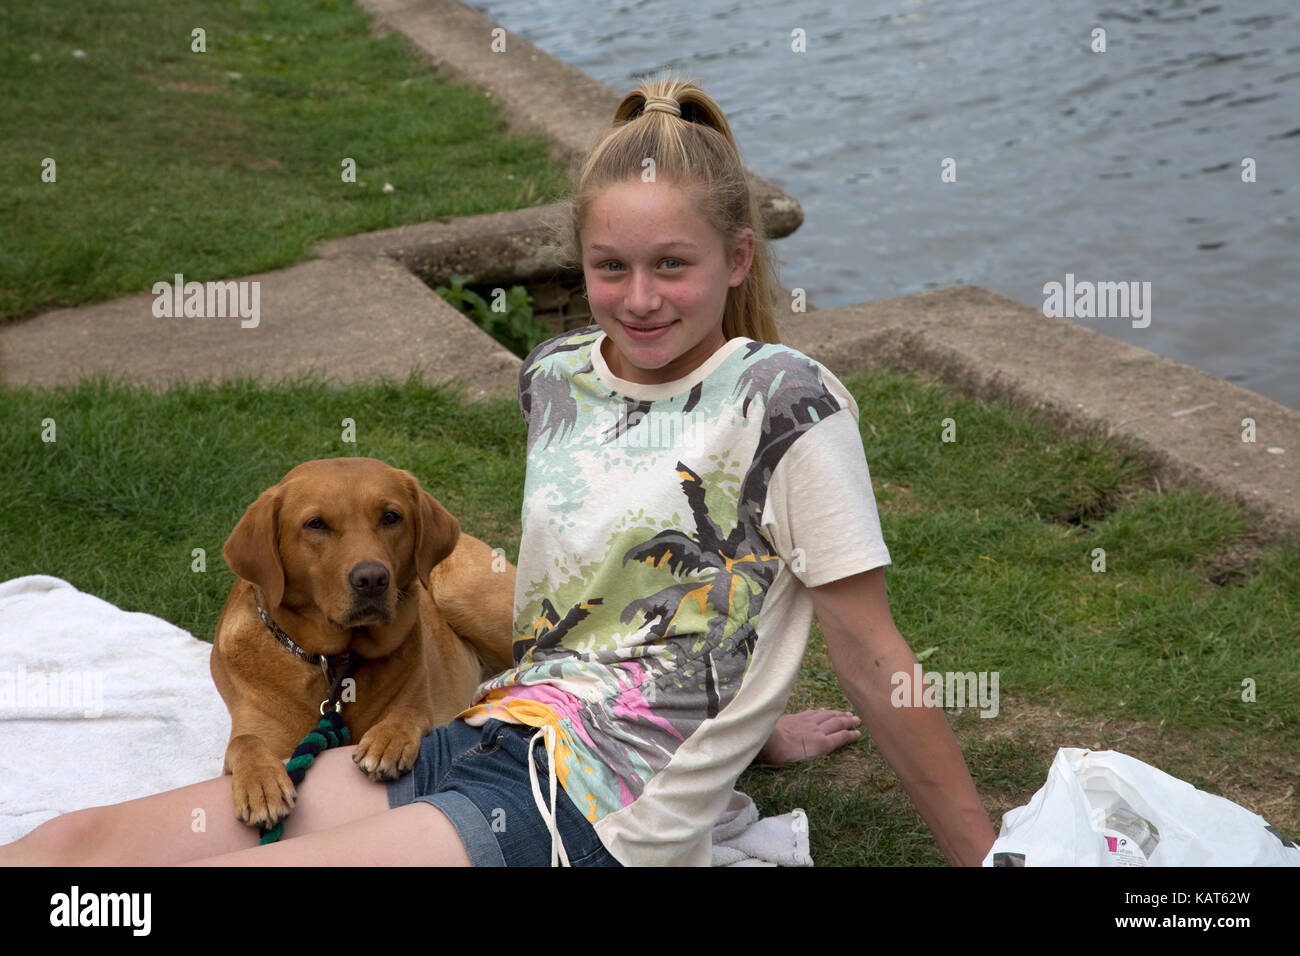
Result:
pixel 200 821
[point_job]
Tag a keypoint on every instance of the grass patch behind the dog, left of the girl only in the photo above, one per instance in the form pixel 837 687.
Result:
pixel 137 481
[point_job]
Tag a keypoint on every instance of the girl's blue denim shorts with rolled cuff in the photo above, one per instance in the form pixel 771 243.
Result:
pixel 479 777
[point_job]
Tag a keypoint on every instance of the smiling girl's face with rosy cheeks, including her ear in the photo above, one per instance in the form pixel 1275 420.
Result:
pixel 657 279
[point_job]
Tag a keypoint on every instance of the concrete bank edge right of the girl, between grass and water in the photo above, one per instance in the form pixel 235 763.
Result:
pixel 1190 422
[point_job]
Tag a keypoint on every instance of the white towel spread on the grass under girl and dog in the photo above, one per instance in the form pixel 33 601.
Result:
pixel 99 706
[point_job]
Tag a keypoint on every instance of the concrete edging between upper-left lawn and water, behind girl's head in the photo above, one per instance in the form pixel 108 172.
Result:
pixel 538 93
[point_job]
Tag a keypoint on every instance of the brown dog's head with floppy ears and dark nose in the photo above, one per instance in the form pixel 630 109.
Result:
pixel 341 543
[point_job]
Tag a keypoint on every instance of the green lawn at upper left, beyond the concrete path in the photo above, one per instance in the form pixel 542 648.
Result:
pixel 227 163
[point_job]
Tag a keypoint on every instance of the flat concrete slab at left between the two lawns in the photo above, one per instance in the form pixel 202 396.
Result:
pixel 349 318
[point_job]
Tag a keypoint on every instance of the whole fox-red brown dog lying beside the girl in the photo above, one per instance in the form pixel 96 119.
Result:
pixel 350 555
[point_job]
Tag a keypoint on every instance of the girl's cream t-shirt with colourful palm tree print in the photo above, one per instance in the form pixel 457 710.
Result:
pixel 670 537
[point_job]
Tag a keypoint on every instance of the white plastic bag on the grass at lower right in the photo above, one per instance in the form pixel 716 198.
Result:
pixel 1103 808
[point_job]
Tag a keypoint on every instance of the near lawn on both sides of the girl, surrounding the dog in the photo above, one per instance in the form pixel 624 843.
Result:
pixel 138 479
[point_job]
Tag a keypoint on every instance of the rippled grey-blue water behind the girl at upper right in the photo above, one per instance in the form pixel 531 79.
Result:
pixel 1123 166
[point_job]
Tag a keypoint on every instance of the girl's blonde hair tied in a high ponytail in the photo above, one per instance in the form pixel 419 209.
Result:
pixel 696 152
